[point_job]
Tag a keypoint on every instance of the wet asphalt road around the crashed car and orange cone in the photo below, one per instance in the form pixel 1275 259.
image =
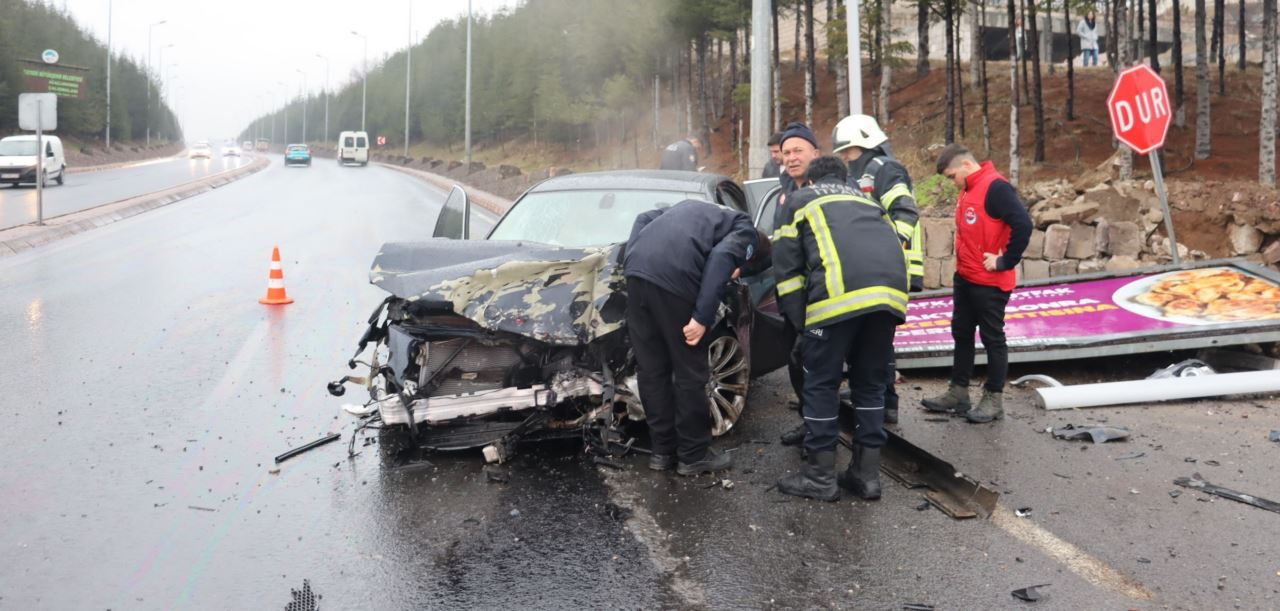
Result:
pixel 147 393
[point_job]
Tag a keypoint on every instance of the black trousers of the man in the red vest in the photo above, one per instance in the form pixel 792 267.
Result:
pixel 982 308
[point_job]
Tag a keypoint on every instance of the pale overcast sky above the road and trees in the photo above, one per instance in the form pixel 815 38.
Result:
pixel 228 56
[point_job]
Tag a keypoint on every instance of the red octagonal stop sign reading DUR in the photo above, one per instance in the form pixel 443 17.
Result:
pixel 1140 110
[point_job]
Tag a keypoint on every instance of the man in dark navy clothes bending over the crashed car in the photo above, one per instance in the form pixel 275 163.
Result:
pixel 676 262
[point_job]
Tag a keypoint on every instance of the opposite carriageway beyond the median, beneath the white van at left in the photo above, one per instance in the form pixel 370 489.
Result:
pixel 95 189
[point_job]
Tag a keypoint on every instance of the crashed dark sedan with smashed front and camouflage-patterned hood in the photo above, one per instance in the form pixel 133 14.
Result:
pixel 487 344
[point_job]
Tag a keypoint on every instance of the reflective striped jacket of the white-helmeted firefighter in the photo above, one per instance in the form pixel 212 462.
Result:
pixel 883 179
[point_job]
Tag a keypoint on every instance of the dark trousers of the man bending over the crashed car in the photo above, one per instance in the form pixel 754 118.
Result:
pixel 673 375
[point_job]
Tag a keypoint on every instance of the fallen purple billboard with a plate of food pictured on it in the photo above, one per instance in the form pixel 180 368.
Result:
pixel 1208 304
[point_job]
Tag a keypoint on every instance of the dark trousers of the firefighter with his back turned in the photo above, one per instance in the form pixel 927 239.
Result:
pixel 866 344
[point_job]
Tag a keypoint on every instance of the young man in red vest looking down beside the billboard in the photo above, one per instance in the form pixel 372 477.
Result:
pixel 993 231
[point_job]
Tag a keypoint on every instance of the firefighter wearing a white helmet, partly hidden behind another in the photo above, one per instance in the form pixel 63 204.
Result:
pixel 874 171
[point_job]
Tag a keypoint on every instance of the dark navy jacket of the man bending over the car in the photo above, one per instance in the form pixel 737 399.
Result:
pixel 691 250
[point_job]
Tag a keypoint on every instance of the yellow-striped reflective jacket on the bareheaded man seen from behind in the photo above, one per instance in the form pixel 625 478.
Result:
pixel 839 258
